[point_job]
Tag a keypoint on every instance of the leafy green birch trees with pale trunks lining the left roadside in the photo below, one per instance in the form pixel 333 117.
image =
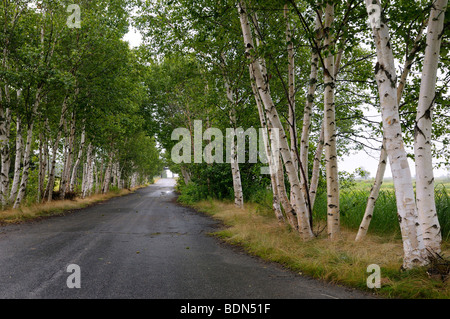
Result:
pixel 32 139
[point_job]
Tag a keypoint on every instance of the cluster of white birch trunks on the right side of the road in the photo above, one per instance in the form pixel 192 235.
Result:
pixel 416 212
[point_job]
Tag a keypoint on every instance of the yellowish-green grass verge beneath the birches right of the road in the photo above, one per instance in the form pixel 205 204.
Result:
pixel 343 262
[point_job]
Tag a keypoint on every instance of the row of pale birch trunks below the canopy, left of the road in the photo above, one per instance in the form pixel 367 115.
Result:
pixel 84 169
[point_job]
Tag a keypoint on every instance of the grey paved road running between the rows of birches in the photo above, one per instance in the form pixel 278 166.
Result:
pixel 142 245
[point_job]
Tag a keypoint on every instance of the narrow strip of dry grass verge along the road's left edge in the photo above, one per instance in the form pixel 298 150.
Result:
pixel 55 208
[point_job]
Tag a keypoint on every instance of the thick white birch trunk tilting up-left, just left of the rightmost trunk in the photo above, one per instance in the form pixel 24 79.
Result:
pixel 413 245
